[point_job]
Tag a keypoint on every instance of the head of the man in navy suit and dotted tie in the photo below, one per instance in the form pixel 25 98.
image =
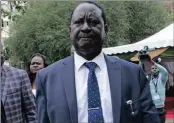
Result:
pixel 87 30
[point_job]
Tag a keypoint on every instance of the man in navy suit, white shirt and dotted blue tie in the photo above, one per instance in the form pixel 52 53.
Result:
pixel 90 86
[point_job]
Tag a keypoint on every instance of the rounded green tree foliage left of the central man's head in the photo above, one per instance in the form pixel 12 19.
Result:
pixel 43 29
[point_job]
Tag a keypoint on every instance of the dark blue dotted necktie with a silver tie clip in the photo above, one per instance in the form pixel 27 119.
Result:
pixel 95 114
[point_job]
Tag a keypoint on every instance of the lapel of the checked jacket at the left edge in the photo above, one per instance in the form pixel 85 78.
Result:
pixel 4 83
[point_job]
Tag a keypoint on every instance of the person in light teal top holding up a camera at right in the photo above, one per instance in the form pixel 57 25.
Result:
pixel 158 79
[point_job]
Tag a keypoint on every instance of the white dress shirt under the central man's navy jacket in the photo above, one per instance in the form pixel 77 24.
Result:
pixel 81 79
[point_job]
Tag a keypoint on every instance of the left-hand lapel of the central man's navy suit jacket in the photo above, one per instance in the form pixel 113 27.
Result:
pixel 68 76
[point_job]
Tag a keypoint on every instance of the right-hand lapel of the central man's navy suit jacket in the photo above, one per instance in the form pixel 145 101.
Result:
pixel 114 73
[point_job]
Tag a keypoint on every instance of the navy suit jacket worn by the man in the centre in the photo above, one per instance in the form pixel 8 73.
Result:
pixel 56 93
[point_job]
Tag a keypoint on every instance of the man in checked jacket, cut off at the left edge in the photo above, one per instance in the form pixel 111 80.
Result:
pixel 16 95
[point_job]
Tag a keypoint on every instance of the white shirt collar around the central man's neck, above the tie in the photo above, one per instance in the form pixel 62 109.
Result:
pixel 79 60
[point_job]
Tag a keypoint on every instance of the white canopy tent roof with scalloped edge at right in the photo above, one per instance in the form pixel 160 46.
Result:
pixel 163 38
